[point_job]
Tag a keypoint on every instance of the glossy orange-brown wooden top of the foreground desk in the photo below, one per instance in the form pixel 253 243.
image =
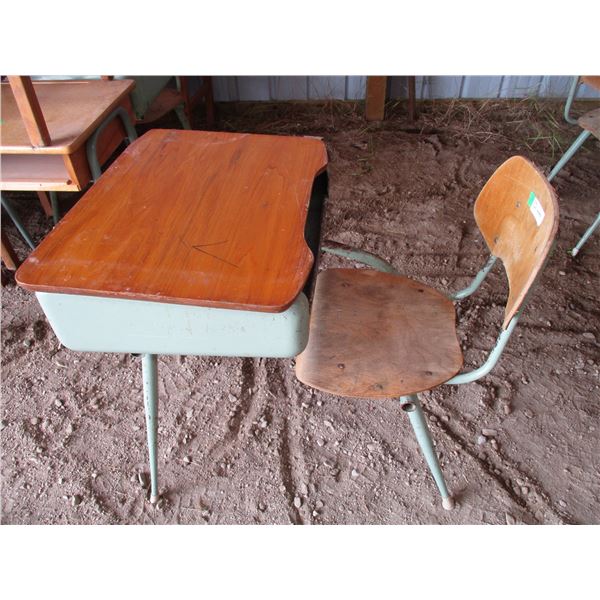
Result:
pixel 189 217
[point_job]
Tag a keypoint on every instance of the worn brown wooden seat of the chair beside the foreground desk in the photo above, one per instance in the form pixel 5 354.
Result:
pixel 378 335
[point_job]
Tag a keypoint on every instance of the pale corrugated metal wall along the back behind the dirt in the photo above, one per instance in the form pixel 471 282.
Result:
pixel 430 87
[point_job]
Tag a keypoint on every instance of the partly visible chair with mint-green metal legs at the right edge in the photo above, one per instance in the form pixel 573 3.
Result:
pixel 590 123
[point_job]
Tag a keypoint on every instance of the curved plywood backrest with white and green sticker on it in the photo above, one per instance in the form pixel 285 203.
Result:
pixel 517 214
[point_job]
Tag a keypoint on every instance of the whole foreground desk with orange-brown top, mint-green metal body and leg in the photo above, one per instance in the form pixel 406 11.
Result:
pixel 190 243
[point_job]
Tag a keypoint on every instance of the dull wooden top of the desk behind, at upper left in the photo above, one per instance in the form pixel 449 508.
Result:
pixel 71 109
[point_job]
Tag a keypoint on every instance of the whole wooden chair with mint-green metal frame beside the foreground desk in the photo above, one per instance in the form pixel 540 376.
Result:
pixel 377 334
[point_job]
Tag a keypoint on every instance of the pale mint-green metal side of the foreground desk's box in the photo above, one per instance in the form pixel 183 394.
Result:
pixel 97 324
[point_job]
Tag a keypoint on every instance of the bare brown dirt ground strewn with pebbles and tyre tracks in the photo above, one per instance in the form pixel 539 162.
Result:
pixel 242 441
